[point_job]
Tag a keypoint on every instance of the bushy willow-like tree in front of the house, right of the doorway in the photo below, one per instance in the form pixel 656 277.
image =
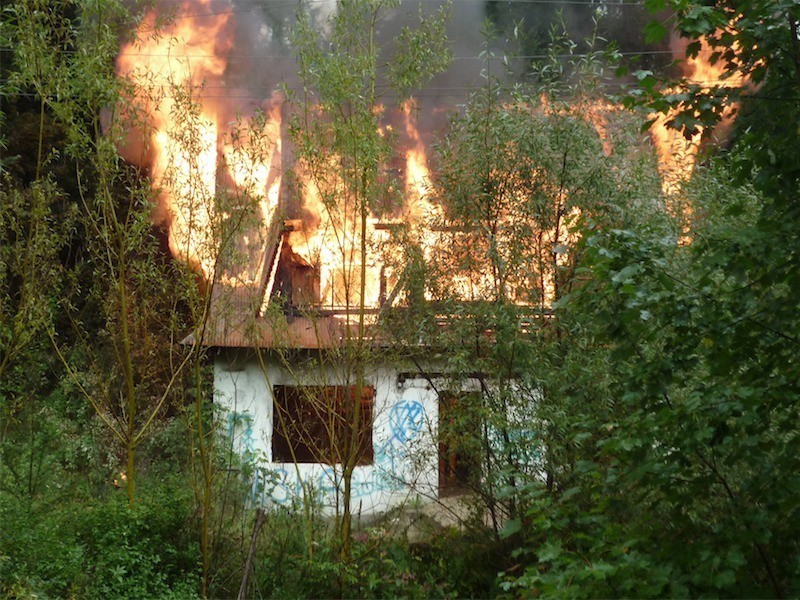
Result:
pixel 528 170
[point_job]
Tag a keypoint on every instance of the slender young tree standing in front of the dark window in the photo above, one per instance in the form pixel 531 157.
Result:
pixel 342 156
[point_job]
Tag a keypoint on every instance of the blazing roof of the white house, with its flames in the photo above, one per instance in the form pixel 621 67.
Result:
pixel 270 246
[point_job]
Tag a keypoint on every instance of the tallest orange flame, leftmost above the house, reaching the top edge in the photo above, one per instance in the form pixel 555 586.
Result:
pixel 168 69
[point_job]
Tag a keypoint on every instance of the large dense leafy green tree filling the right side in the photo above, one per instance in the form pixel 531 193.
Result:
pixel 676 459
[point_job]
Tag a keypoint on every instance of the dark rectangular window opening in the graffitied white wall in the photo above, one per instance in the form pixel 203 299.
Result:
pixel 322 424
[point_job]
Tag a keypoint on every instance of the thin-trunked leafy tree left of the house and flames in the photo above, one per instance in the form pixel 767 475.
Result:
pixel 122 246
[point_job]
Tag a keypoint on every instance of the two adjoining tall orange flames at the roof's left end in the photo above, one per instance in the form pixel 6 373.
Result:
pixel 169 68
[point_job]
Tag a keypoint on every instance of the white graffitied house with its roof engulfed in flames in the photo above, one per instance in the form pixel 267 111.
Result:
pixel 302 274
